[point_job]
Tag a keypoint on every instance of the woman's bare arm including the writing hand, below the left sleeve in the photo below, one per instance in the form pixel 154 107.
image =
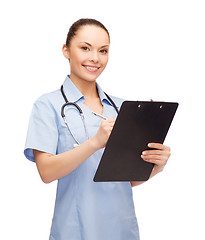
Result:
pixel 52 167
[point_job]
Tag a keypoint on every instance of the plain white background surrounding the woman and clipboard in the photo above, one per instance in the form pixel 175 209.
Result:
pixel 157 51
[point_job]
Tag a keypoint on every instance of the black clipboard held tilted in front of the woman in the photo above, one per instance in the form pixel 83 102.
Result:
pixel 138 123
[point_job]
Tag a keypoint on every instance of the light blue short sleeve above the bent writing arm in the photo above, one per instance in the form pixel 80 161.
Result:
pixel 42 132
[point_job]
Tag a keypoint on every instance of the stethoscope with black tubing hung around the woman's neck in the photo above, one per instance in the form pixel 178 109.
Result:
pixel 67 103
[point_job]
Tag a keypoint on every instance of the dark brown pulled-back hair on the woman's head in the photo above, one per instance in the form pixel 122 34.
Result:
pixel 82 22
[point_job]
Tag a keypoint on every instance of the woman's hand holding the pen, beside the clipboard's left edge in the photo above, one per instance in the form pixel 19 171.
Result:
pixel 101 138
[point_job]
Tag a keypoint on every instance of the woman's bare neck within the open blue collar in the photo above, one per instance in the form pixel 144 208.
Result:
pixel 88 89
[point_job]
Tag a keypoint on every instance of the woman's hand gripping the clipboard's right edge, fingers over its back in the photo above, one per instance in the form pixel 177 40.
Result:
pixel 159 156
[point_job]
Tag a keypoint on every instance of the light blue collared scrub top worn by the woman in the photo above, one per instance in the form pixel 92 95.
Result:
pixel 84 209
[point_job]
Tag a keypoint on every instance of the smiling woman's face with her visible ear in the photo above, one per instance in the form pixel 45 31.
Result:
pixel 87 53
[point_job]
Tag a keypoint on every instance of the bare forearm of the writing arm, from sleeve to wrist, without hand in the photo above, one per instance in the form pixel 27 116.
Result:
pixel 52 167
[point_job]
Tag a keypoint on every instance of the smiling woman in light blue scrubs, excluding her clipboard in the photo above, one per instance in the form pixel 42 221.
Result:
pixel 84 209
